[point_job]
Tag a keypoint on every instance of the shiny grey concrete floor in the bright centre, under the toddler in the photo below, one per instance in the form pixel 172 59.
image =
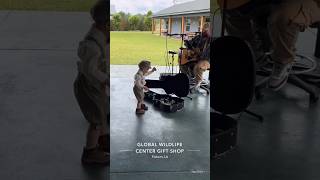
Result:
pixel 189 126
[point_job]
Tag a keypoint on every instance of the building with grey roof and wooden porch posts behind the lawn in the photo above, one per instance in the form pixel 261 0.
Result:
pixel 187 18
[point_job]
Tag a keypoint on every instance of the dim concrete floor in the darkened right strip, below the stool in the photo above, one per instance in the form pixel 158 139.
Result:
pixel 286 145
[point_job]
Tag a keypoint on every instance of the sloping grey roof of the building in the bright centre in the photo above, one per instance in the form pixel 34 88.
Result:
pixel 191 7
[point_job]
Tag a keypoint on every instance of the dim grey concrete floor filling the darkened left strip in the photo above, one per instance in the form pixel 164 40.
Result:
pixel 42 131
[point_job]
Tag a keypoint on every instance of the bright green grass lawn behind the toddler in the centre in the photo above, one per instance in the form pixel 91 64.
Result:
pixel 131 47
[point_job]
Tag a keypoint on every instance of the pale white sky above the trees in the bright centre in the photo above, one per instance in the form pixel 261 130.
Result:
pixel 141 6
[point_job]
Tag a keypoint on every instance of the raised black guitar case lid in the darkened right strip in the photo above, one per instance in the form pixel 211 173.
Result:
pixel 232 75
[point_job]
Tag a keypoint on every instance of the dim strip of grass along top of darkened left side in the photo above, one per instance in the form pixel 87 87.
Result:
pixel 47 5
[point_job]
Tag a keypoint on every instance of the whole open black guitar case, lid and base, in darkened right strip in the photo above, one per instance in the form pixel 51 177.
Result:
pixel 232 79
